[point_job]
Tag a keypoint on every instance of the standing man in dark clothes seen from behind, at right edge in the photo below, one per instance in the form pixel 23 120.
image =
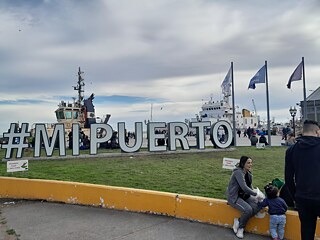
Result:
pixel 302 176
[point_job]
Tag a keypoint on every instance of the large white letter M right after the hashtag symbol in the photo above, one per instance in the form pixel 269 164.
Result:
pixel 42 134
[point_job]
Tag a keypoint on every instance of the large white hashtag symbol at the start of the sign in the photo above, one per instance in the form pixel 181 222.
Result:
pixel 16 140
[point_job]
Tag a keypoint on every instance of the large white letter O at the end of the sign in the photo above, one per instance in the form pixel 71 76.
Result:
pixel 228 134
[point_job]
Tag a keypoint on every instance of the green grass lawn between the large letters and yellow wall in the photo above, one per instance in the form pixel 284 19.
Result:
pixel 198 174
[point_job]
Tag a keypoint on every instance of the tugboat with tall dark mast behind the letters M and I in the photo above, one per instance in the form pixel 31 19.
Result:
pixel 80 111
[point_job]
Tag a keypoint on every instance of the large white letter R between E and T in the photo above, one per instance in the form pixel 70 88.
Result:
pixel 175 134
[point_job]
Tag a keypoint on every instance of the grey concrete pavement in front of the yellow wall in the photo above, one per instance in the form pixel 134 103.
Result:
pixel 35 220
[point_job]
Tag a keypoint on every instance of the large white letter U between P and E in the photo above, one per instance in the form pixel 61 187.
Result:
pixel 138 137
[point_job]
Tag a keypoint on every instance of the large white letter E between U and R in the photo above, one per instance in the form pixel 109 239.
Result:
pixel 152 136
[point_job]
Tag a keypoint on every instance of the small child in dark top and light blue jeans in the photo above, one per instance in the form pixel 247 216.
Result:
pixel 277 208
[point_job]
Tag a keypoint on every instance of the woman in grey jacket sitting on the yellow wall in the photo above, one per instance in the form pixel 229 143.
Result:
pixel 239 192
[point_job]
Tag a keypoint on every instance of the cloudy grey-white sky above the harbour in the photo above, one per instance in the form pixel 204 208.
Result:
pixel 172 54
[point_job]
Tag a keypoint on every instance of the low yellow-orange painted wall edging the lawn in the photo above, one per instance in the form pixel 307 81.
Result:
pixel 201 209
